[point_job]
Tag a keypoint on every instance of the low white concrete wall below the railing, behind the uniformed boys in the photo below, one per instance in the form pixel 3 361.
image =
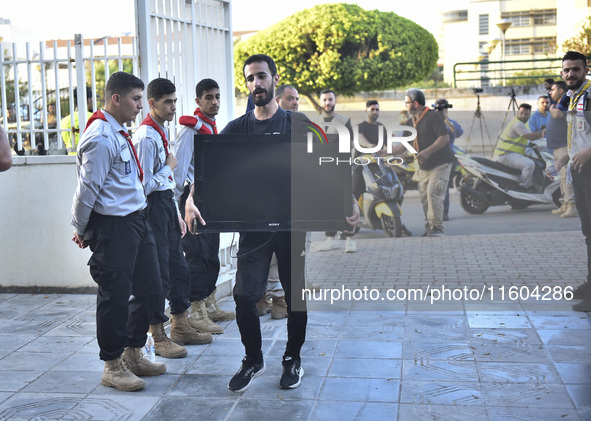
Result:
pixel 35 235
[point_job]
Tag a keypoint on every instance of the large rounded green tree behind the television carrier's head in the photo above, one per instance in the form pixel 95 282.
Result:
pixel 343 47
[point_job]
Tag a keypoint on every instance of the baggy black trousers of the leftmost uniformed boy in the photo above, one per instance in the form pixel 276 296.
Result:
pixel 124 264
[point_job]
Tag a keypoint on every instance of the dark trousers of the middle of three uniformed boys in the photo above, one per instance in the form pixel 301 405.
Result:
pixel 174 272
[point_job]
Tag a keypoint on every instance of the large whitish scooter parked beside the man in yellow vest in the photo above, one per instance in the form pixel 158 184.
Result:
pixel 490 183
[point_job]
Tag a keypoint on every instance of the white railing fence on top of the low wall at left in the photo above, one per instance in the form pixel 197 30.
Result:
pixel 48 76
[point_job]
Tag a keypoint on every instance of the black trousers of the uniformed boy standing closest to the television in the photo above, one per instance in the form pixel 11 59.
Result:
pixel 202 256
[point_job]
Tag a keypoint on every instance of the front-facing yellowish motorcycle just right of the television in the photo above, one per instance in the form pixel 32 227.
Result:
pixel 381 201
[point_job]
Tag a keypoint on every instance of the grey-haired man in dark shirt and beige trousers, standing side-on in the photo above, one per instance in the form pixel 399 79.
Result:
pixel 434 157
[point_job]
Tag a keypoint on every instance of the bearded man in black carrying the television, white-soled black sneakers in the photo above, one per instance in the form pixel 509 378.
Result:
pixel 256 248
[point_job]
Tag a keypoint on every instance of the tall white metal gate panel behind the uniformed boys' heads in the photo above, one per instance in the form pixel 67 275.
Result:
pixel 186 41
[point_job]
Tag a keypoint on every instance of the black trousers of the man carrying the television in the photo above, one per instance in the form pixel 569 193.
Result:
pixel 254 257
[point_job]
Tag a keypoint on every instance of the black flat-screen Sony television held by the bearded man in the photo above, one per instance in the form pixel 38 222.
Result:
pixel 269 183
